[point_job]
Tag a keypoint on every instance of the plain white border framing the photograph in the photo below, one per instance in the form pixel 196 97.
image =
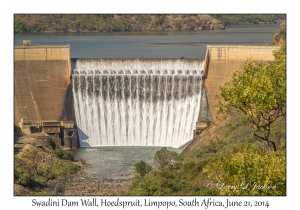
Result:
pixel 8 8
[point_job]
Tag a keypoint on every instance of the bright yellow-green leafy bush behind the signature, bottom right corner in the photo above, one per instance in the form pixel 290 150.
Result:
pixel 254 172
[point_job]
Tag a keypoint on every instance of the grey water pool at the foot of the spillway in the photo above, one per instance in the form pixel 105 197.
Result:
pixel 115 162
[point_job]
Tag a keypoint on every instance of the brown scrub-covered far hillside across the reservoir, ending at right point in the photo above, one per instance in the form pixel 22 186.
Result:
pixel 110 23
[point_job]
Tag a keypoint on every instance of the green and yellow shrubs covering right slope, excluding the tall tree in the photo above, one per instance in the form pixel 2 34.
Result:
pixel 235 159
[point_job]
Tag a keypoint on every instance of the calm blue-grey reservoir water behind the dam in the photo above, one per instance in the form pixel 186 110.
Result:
pixel 189 44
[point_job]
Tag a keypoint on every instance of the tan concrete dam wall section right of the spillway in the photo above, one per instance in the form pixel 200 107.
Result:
pixel 222 60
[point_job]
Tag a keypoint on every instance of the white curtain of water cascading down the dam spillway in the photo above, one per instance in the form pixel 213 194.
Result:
pixel 136 102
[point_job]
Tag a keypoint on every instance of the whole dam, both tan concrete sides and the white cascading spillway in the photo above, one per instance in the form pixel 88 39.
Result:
pixel 125 101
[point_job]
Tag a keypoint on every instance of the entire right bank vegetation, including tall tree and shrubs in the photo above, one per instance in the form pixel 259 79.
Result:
pixel 247 157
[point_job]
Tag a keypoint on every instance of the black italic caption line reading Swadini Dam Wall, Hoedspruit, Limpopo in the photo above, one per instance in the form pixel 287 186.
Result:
pixel 203 203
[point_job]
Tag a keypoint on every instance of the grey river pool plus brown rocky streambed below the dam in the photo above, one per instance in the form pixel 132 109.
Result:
pixel 109 170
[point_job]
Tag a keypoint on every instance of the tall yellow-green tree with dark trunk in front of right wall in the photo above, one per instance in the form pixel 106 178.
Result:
pixel 260 92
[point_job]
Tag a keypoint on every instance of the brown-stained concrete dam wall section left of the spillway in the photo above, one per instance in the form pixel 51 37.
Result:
pixel 42 88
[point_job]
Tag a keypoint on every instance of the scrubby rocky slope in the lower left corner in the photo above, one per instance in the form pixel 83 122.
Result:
pixel 36 165
